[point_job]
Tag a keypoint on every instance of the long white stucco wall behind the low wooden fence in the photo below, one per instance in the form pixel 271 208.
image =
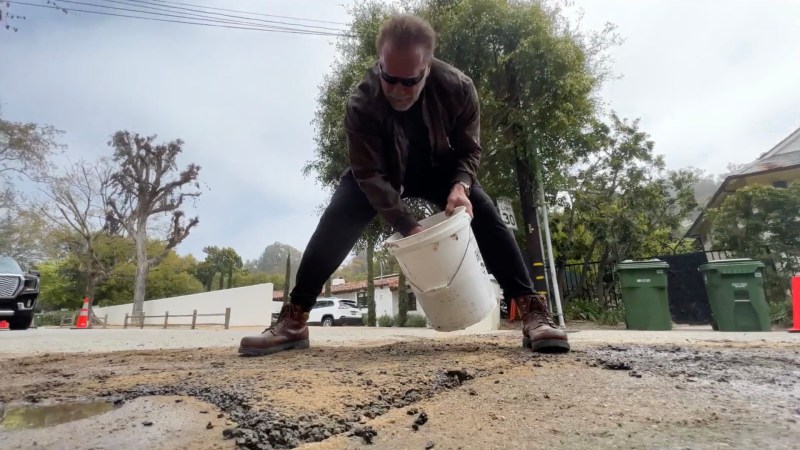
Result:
pixel 250 306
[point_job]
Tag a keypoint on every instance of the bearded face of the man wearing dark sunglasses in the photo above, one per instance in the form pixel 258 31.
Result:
pixel 403 74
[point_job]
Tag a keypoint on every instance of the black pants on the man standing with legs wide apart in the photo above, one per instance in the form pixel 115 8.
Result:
pixel 349 213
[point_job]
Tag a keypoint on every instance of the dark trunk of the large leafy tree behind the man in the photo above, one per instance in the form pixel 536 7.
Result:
pixel 532 241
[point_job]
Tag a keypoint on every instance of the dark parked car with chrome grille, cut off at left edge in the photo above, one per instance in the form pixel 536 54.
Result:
pixel 19 291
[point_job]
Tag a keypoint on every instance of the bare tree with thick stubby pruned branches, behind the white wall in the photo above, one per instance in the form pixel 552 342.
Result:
pixel 149 185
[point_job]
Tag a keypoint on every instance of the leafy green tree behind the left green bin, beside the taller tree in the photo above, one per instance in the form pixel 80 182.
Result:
pixel 624 203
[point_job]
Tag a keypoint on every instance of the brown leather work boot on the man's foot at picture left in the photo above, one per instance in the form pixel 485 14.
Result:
pixel 291 332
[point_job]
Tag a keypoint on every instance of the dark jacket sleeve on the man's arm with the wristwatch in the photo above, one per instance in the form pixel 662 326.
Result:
pixel 467 136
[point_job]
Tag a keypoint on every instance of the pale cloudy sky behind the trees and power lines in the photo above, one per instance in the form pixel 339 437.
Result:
pixel 712 82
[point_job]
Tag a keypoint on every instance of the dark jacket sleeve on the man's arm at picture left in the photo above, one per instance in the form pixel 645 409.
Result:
pixel 368 164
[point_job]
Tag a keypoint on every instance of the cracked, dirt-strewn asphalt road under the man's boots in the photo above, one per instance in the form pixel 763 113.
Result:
pixel 407 388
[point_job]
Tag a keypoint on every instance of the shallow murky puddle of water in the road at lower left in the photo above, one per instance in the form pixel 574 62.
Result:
pixel 37 416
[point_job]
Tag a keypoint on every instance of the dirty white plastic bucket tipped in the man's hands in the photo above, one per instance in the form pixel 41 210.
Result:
pixel 446 271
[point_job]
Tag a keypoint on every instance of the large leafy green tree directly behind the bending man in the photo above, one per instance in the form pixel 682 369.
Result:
pixel 535 73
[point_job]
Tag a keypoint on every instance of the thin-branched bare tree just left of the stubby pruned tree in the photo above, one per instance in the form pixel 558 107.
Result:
pixel 78 201
